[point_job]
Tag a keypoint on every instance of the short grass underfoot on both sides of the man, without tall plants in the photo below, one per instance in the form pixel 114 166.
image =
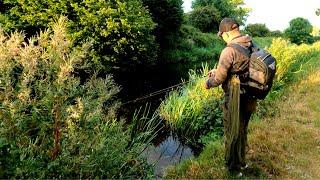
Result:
pixel 283 146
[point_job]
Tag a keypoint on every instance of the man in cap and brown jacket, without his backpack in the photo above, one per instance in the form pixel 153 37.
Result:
pixel 238 106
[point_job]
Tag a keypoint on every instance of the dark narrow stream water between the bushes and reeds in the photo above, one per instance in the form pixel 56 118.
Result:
pixel 167 149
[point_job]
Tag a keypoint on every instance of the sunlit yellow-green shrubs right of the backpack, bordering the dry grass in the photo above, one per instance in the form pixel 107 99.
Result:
pixel 291 61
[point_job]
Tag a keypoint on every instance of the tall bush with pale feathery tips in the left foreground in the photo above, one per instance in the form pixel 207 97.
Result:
pixel 53 125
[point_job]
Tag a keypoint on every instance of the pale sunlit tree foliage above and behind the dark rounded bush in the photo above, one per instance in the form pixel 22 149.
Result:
pixel 226 8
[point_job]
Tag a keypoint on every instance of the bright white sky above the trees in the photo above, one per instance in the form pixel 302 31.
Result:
pixel 276 14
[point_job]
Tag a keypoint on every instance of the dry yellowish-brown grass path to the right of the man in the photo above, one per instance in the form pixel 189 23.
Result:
pixel 288 145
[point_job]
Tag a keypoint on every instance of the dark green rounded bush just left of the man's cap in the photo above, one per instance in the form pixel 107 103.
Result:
pixel 205 18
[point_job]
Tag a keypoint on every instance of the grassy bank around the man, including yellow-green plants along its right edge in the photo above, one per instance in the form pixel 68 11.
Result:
pixel 283 137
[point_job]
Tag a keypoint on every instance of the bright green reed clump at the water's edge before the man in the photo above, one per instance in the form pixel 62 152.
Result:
pixel 193 111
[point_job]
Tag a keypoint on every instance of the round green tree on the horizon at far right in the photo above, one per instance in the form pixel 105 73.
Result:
pixel 299 31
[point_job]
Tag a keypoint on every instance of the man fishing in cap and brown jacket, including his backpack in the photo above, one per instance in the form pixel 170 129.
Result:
pixel 245 73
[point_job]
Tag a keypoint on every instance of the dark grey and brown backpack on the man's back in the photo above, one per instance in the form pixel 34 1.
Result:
pixel 262 69
